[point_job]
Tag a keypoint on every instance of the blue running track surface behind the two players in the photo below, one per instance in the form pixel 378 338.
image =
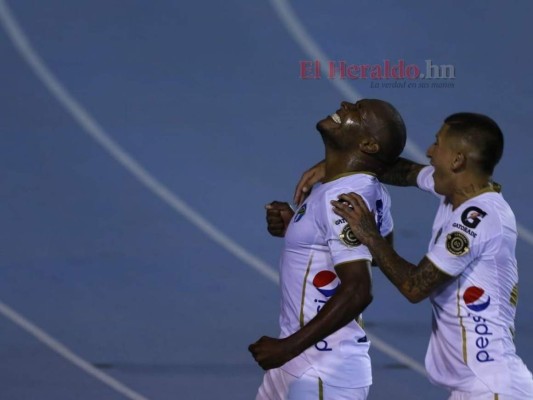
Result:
pixel 207 97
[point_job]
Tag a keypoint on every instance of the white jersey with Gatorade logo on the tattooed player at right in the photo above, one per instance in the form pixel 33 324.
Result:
pixel 473 315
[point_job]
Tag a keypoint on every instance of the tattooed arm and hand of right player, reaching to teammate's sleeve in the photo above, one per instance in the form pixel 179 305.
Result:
pixel 415 282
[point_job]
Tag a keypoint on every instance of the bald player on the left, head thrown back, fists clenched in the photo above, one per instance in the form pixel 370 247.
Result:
pixel 322 351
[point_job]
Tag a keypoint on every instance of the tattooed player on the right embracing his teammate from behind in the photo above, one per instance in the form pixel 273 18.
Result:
pixel 470 270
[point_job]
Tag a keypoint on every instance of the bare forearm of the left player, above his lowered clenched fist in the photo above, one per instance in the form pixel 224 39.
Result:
pixel 342 308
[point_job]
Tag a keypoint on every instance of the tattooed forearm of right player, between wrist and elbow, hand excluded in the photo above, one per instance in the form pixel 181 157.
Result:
pixel 399 271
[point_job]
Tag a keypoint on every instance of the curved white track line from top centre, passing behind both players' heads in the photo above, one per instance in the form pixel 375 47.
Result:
pixel 298 32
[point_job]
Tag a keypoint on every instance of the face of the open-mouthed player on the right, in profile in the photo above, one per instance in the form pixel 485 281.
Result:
pixel 442 154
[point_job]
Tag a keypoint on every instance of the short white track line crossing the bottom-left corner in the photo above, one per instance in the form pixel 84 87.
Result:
pixel 64 352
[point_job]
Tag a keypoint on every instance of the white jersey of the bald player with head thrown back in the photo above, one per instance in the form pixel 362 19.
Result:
pixel 316 240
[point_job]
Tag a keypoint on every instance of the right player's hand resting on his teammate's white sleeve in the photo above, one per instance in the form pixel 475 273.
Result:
pixel 354 210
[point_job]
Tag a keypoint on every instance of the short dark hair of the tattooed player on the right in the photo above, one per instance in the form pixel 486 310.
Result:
pixel 482 133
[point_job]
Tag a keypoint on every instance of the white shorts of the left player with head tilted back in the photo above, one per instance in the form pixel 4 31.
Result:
pixel 280 385
